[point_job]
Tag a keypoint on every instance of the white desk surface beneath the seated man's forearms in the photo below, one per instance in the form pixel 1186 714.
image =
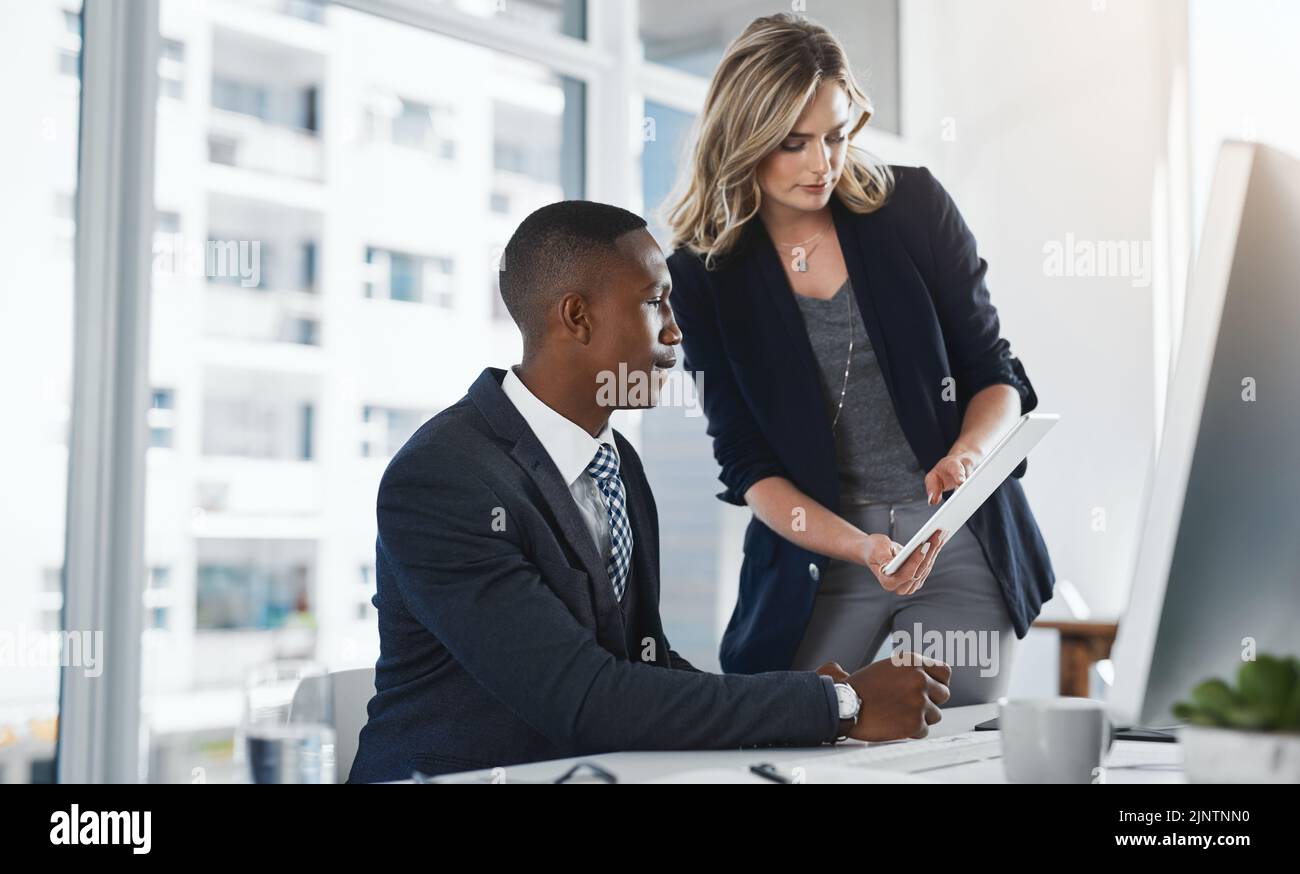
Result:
pixel 1129 761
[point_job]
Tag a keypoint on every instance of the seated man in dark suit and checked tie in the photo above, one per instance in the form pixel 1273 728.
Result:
pixel 518 556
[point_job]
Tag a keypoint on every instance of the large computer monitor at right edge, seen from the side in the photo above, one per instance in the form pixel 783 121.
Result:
pixel 1219 560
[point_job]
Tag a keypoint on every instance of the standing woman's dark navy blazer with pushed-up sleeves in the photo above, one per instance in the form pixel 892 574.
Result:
pixel 921 288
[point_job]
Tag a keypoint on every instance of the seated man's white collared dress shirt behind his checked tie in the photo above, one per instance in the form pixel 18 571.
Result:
pixel 573 449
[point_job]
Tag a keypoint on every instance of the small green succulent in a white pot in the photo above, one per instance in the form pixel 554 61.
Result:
pixel 1250 734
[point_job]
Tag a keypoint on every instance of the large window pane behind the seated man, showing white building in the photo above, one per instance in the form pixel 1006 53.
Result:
pixel 297 388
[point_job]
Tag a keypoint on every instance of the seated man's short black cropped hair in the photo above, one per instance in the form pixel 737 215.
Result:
pixel 553 245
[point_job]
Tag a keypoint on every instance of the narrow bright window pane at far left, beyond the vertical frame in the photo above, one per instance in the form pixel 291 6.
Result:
pixel 42 46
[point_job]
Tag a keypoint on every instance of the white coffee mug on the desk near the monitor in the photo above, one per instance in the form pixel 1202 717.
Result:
pixel 1054 741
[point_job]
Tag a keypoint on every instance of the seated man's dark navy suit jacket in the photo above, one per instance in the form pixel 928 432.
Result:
pixel 504 643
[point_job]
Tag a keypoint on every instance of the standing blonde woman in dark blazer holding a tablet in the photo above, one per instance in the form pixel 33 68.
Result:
pixel 853 373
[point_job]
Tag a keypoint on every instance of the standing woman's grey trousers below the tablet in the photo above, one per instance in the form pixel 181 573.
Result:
pixel 959 615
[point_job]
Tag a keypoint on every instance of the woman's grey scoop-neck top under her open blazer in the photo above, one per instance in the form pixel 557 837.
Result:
pixel 877 464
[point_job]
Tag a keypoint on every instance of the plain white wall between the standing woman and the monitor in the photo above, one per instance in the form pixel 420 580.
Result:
pixel 1045 119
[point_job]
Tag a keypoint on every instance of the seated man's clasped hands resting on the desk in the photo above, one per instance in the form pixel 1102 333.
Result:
pixel 899 700
